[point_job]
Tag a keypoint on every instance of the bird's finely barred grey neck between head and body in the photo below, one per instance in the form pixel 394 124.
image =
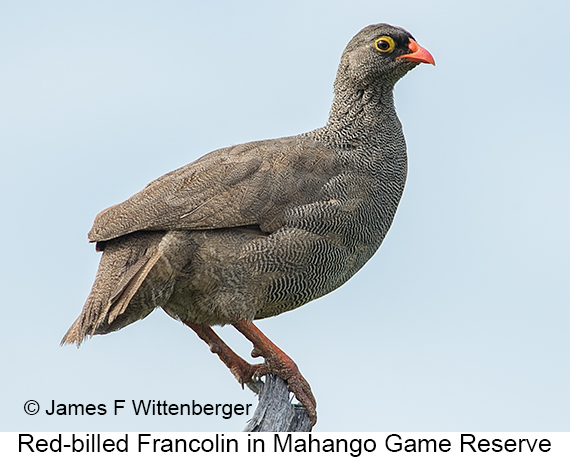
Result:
pixel 360 115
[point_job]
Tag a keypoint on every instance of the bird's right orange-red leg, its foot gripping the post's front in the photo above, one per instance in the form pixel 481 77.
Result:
pixel 281 364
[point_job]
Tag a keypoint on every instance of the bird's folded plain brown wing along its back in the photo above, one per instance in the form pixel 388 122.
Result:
pixel 248 184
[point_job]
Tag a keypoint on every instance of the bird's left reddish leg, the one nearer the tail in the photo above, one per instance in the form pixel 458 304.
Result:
pixel 243 371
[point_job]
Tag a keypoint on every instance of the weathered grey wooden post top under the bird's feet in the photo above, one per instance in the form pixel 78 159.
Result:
pixel 275 412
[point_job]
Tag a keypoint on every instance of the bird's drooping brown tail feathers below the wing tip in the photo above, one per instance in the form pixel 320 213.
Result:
pixel 125 264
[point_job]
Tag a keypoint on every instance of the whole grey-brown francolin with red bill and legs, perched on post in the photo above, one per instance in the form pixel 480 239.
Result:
pixel 253 230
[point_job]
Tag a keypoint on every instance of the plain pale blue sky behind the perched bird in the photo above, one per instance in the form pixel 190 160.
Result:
pixel 460 321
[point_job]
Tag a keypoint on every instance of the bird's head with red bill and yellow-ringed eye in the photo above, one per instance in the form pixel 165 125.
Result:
pixel 381 54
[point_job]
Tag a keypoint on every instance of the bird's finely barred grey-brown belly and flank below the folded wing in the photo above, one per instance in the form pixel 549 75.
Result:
pixel 228 274
